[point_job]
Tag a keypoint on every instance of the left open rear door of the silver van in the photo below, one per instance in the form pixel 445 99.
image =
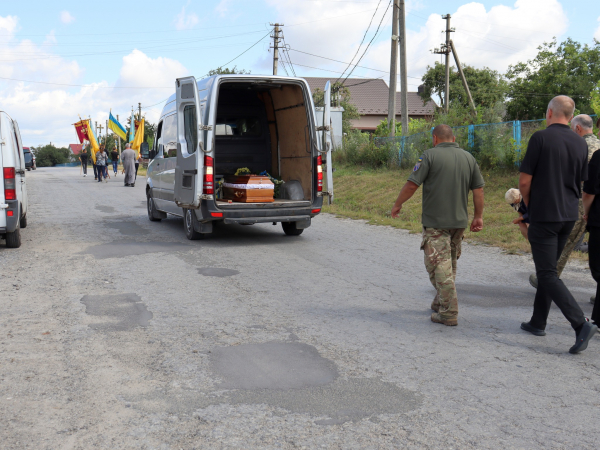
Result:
pixel 188 171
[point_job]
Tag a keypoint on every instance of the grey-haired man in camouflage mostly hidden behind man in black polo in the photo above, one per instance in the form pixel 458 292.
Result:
pixel 583 126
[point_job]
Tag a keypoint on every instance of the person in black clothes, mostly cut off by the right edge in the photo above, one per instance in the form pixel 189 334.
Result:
pixel 591 206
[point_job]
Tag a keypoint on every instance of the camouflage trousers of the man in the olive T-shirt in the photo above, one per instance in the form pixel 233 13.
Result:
pixel 442 249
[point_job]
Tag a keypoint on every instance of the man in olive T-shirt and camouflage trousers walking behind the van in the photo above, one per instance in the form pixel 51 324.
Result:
pixel 447 174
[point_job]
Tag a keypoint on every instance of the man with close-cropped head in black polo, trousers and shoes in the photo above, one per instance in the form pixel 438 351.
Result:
pixel 552 173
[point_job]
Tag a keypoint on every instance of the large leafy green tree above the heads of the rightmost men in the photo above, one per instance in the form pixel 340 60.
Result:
pixel 567 68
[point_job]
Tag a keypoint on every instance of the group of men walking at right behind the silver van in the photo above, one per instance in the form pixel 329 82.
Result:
pixel 559 191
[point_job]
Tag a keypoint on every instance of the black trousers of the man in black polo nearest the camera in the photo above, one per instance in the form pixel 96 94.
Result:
pixel 547 241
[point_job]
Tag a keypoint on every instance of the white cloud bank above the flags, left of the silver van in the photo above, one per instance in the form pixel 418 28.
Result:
pixel 45 112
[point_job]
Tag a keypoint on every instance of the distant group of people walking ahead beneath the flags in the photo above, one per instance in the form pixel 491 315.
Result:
pixel 128 158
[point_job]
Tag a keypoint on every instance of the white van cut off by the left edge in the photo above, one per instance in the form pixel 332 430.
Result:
pixel 13 188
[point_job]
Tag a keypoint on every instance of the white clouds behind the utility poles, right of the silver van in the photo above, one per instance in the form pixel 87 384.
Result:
pixel 495 38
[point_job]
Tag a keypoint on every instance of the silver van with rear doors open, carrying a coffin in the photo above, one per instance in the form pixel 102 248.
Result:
pixel 210 128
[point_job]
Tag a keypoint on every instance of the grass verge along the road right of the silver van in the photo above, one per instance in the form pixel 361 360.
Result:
pixel 369 194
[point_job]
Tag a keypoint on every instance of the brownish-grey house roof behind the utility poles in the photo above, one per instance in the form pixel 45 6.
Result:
pixel 370 95
